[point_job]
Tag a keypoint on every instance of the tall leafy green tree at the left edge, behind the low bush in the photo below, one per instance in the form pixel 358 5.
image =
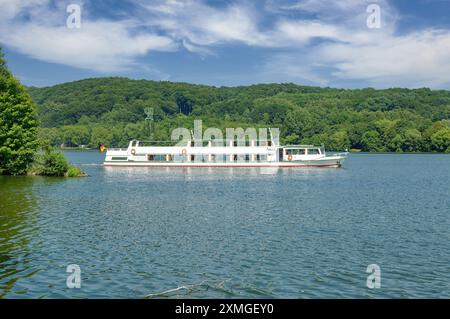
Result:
pixel 18 124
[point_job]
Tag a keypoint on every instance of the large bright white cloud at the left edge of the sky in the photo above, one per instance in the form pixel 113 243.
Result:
pixel 101 46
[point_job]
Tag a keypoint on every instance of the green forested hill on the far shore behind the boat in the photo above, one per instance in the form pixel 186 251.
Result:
pixel 111 111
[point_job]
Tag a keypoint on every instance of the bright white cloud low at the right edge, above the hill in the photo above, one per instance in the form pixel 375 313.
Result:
pixel 414 60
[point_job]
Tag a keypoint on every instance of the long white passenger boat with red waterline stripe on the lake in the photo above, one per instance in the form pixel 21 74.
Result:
pixel 255 154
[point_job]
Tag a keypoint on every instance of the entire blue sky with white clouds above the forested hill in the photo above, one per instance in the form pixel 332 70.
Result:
pixel 310 42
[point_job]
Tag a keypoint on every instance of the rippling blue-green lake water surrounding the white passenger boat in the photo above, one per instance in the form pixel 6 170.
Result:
pixel 230 233
